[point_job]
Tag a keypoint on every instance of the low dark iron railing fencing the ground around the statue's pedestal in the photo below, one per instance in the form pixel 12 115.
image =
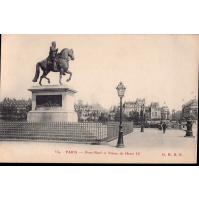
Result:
pixel 62 131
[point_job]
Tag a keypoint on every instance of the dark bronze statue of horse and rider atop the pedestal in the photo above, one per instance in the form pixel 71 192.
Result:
pixel 55 62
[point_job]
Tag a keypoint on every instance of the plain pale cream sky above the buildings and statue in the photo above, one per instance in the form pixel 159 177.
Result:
pixel 159 68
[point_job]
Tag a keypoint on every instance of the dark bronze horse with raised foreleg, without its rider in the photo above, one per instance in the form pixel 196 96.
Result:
pixel 62 66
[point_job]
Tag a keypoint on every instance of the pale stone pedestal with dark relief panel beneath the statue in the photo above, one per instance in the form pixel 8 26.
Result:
pixel 52 103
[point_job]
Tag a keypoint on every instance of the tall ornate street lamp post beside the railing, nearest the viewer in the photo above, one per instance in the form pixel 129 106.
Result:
pixel 120 89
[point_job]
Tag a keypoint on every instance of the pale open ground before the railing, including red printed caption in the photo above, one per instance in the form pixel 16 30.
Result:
pixel 150 146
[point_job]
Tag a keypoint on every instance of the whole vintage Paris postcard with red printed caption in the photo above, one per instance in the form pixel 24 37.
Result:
pixel 99 99
